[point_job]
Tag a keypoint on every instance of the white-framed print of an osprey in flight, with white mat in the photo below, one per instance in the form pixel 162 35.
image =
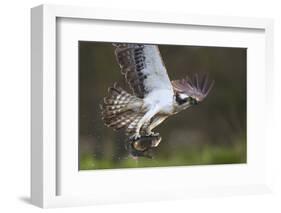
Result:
pixel 149 106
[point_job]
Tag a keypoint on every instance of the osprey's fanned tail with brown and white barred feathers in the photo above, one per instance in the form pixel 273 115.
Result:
pixel 119 109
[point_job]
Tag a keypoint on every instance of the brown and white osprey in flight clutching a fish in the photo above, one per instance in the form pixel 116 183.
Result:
pixel 154 97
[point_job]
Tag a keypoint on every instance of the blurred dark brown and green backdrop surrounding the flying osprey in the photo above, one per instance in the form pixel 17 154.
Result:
pixel 213 132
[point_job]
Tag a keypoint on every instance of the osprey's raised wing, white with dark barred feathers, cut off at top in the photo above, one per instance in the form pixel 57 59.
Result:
pixel 143 68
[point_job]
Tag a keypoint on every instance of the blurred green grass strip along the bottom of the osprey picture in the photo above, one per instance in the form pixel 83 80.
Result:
pixel 181 157
